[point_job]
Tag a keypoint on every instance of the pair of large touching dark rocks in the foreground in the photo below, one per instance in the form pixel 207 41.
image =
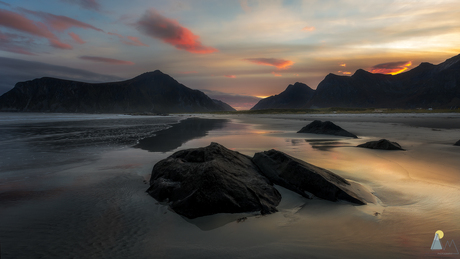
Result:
pixel 213 179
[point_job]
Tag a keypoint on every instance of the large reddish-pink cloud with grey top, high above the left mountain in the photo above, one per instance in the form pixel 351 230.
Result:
pixel 171 32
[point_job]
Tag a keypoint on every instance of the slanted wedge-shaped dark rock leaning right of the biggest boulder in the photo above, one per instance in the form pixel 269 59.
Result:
pixel 301 177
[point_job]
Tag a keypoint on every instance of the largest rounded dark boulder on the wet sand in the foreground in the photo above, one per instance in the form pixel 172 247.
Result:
pixel 210 180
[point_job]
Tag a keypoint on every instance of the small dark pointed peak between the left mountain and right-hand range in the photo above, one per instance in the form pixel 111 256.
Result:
pixel 293 97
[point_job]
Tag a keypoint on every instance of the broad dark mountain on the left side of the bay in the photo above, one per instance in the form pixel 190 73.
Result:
pixel 153 92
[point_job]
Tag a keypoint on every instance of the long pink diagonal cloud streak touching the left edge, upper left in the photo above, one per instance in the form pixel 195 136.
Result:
pixel 20 23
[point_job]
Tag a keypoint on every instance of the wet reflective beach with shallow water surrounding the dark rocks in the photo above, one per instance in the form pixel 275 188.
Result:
pixel 74 187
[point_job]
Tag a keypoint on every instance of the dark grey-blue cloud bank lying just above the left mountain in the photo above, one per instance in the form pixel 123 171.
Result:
pixel 18 70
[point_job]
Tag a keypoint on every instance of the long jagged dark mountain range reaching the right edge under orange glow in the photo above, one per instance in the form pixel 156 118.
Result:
pixel 427 85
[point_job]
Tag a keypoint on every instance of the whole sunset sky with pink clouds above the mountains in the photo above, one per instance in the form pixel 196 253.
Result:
pixel 235 51
